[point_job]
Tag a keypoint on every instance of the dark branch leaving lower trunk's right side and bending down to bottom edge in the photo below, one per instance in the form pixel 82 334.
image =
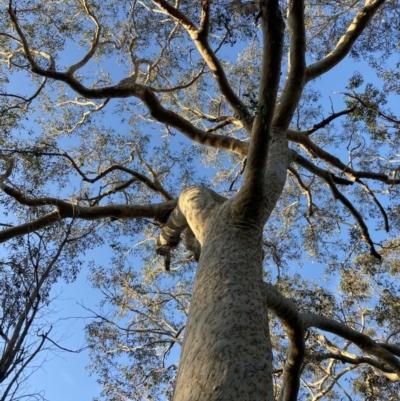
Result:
pixel 291 321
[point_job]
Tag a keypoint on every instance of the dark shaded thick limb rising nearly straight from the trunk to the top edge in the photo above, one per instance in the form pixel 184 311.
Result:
pixel 250 200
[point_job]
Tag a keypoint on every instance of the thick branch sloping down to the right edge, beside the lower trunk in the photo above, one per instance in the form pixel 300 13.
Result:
pixel 365 343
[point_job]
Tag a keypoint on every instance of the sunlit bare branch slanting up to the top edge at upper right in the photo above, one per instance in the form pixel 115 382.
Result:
pixel 343 47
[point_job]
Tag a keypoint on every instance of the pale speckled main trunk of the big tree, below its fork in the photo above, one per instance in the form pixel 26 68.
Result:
pixel 226 353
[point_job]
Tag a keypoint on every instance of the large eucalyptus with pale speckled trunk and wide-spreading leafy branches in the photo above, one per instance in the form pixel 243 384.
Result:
pixel 125 101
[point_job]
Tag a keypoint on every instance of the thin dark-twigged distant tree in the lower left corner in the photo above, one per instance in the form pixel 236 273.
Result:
pixel 29 268
